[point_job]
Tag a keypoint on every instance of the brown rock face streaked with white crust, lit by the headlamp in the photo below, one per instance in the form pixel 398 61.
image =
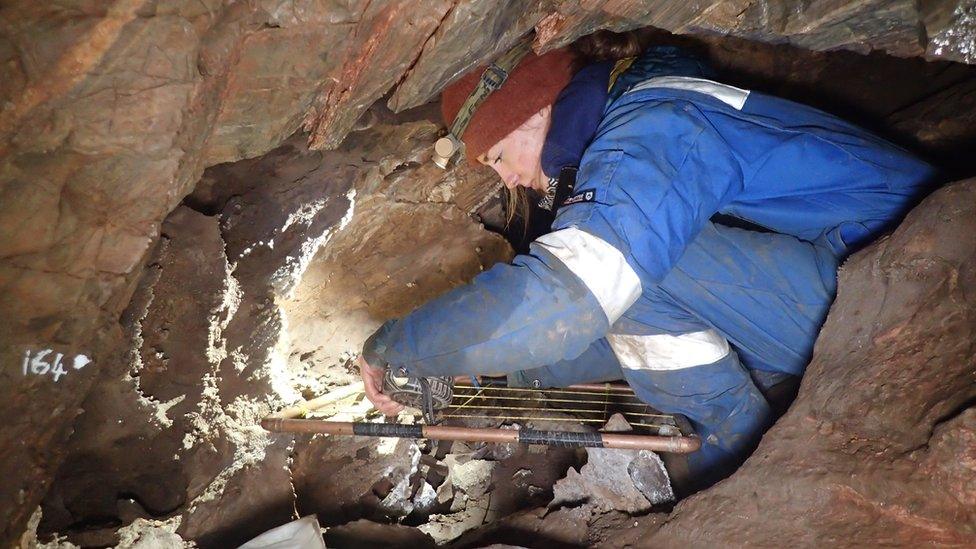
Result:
pixel 213 336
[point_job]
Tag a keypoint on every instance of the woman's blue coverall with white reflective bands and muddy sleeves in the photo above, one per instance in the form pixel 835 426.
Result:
pixel 636 282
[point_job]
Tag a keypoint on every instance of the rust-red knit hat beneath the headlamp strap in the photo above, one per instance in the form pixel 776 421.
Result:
pixel 534 83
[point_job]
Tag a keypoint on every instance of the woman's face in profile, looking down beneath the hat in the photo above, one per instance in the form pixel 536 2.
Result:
pixel 517 158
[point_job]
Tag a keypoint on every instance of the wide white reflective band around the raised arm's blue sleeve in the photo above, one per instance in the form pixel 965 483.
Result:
pixel 600 266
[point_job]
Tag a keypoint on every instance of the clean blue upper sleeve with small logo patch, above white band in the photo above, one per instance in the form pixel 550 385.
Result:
pixel 654 175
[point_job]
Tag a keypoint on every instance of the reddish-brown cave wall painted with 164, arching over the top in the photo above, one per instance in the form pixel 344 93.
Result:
pixel 111 111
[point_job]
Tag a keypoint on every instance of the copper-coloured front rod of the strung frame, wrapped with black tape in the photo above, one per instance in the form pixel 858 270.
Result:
pixel 469 434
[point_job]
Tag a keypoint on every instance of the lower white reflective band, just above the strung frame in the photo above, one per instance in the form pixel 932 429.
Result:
pixel 668 352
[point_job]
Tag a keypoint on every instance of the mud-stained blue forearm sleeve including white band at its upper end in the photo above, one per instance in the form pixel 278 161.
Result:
pixel 531 313
